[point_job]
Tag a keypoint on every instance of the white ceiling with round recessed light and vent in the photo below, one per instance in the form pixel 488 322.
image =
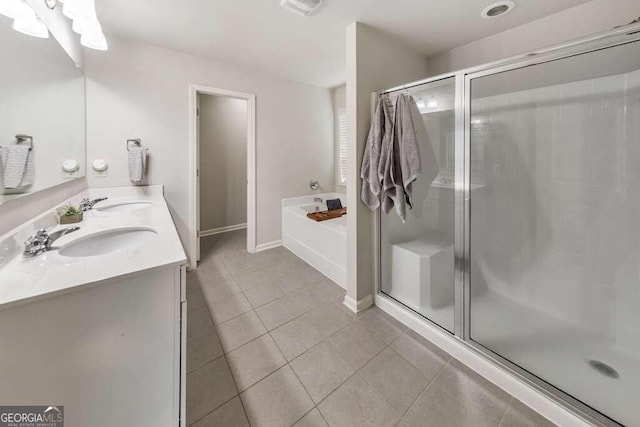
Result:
pixel 261 34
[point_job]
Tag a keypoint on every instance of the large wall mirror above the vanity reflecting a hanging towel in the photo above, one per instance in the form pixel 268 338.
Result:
pixel 42 114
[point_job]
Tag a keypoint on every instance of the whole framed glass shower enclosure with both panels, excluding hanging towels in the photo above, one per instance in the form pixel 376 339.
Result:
pixel 526 244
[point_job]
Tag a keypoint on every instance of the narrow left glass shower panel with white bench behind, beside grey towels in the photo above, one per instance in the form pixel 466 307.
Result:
pixel 417 257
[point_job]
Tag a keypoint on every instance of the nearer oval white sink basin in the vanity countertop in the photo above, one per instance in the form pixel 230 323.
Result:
pixel 107 242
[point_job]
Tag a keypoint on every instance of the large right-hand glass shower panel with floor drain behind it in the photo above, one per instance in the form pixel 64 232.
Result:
pixel 554 267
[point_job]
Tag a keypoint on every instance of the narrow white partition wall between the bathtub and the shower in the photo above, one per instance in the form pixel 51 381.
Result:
pixel 374 62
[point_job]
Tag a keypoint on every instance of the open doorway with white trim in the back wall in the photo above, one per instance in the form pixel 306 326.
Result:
pixel 222 145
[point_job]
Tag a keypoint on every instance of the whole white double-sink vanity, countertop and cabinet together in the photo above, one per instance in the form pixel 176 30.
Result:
pixel 98 323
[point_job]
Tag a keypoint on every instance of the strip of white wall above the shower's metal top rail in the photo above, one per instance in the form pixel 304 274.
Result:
pixel 580 21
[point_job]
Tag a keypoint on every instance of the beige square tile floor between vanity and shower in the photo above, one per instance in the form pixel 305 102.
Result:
pixel 270 344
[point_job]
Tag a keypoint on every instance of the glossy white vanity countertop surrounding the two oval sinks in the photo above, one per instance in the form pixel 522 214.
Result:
pixel 24 279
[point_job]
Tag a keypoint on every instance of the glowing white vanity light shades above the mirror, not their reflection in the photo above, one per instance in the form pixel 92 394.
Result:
pixel 85 21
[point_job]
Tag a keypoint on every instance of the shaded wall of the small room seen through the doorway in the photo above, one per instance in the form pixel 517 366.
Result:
pixel 223 161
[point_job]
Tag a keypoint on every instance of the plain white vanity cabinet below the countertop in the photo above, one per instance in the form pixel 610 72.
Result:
pixel 112 352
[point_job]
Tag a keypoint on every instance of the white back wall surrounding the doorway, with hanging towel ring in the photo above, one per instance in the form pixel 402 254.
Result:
pixel 140 91
